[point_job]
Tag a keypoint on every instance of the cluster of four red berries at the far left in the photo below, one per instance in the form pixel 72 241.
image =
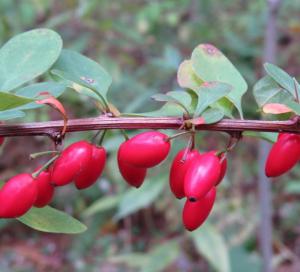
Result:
pixel 80 162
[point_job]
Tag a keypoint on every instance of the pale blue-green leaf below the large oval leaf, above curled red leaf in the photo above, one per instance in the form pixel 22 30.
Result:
pixel 32 91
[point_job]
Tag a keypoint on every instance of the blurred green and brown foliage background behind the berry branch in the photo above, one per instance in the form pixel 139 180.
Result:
pixel 141 43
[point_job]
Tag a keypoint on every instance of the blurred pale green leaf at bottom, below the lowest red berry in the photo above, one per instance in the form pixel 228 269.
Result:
pixel 211 245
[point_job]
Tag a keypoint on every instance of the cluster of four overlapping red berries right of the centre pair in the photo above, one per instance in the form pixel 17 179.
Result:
pixel 195 176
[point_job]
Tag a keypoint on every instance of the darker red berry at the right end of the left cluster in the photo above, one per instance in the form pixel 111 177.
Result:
pixel 94 169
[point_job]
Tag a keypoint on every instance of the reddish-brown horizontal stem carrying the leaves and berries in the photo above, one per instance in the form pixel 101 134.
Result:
pixel 52 128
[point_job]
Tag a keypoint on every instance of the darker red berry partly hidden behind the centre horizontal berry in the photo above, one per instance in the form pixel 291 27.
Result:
pixel 133 175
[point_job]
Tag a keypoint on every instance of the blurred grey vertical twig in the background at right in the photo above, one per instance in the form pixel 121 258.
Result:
pixel 264 186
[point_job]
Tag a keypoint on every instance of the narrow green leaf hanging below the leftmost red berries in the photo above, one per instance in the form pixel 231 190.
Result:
pixel 48 219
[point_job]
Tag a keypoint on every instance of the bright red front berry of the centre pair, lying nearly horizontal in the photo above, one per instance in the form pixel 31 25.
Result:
pixel 146 149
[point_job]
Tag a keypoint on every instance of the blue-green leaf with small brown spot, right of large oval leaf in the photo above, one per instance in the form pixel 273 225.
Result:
pixel 81 70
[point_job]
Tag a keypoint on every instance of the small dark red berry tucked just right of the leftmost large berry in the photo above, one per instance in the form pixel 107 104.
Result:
pixel 45 189
